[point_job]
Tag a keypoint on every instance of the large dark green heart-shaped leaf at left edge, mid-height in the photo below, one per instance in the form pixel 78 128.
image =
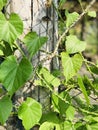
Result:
pixel 13 74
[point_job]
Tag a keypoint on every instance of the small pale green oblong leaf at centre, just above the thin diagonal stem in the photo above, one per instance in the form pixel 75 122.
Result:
pixel 49 78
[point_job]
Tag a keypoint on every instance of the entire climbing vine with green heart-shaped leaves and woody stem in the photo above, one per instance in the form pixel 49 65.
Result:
pixel 15 72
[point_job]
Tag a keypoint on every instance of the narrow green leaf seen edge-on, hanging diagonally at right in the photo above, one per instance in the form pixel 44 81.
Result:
pixel 83 89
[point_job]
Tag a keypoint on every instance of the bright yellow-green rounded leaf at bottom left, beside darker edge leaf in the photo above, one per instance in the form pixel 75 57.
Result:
pixel 30 113
